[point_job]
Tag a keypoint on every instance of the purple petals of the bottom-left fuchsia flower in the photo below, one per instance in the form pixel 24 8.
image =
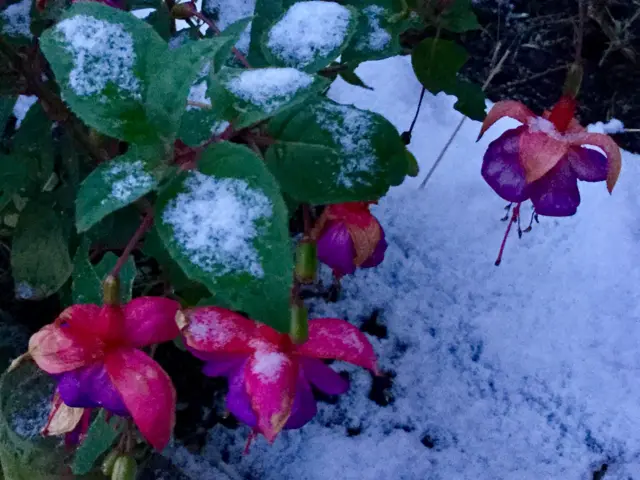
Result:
pixel 90 387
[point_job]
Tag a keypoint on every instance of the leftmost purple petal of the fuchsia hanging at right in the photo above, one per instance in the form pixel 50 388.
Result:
pixel 501 167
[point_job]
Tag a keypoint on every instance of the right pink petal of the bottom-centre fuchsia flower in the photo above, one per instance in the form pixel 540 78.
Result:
pixel 334 338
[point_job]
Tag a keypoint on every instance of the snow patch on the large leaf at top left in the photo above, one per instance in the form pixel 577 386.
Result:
pixel 102 54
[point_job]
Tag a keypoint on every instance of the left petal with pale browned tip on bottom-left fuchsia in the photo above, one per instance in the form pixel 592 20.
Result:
pixel 57 350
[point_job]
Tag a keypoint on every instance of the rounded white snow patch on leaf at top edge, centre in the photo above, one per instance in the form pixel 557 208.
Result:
pixel 307 31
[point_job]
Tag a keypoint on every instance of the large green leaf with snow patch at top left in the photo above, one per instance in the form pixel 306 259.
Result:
pixel 105 81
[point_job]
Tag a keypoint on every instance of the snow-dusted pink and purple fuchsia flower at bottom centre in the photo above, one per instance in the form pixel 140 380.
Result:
pixel 269 376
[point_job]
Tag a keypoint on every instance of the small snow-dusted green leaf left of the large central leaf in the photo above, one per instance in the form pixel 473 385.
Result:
pixel 117 183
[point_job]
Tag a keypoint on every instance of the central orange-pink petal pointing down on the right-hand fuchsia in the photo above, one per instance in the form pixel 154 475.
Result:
pixel 539 153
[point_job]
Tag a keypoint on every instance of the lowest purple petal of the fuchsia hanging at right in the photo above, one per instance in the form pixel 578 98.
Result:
pixel 556 194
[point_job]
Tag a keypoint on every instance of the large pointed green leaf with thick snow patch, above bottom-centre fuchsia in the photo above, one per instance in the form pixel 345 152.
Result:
pixel 226 225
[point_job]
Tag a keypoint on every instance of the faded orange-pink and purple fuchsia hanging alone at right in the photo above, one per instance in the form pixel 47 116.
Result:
pixel 543 159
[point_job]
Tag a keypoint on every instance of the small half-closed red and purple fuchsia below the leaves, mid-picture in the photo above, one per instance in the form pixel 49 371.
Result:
pixel 348 236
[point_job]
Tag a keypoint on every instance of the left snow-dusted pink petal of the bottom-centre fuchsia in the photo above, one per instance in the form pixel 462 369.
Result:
pixel 217 330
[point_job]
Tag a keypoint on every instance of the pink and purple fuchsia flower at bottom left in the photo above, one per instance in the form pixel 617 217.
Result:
pixel 94 354
